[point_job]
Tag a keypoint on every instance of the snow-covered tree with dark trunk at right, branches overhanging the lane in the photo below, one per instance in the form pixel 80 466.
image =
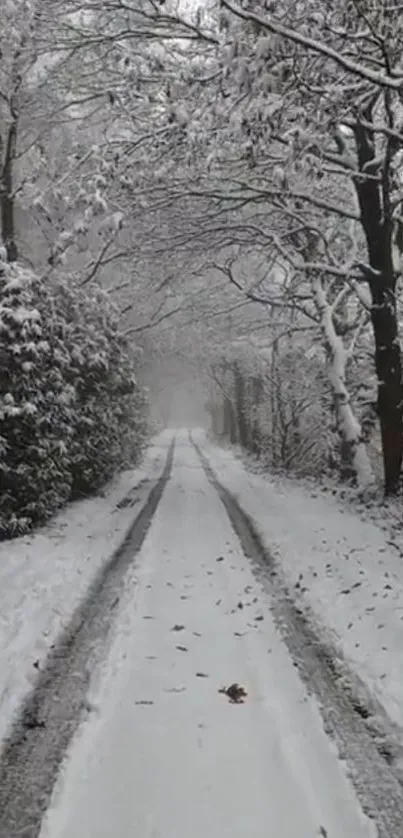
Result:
pixel 295 114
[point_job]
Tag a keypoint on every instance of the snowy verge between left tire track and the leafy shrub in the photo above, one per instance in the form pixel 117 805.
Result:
pixel 43 577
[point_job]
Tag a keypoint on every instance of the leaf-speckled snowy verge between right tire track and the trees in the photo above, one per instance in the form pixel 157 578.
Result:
pixel 338 564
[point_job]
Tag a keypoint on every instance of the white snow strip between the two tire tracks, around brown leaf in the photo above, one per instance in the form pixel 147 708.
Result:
pixel 162 753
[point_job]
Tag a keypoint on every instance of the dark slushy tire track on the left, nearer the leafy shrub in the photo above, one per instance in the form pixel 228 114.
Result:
pixel 32 754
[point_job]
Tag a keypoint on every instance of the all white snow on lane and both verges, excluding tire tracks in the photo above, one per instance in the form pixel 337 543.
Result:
pixel 161 752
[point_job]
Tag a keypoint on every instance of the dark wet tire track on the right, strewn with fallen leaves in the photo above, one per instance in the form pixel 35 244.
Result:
pixel 345 719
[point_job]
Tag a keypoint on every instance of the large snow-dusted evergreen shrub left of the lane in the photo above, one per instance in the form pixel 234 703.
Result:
pixel 71 412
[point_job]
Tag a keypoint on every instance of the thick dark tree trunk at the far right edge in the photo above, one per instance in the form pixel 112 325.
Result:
pixel 376 218
